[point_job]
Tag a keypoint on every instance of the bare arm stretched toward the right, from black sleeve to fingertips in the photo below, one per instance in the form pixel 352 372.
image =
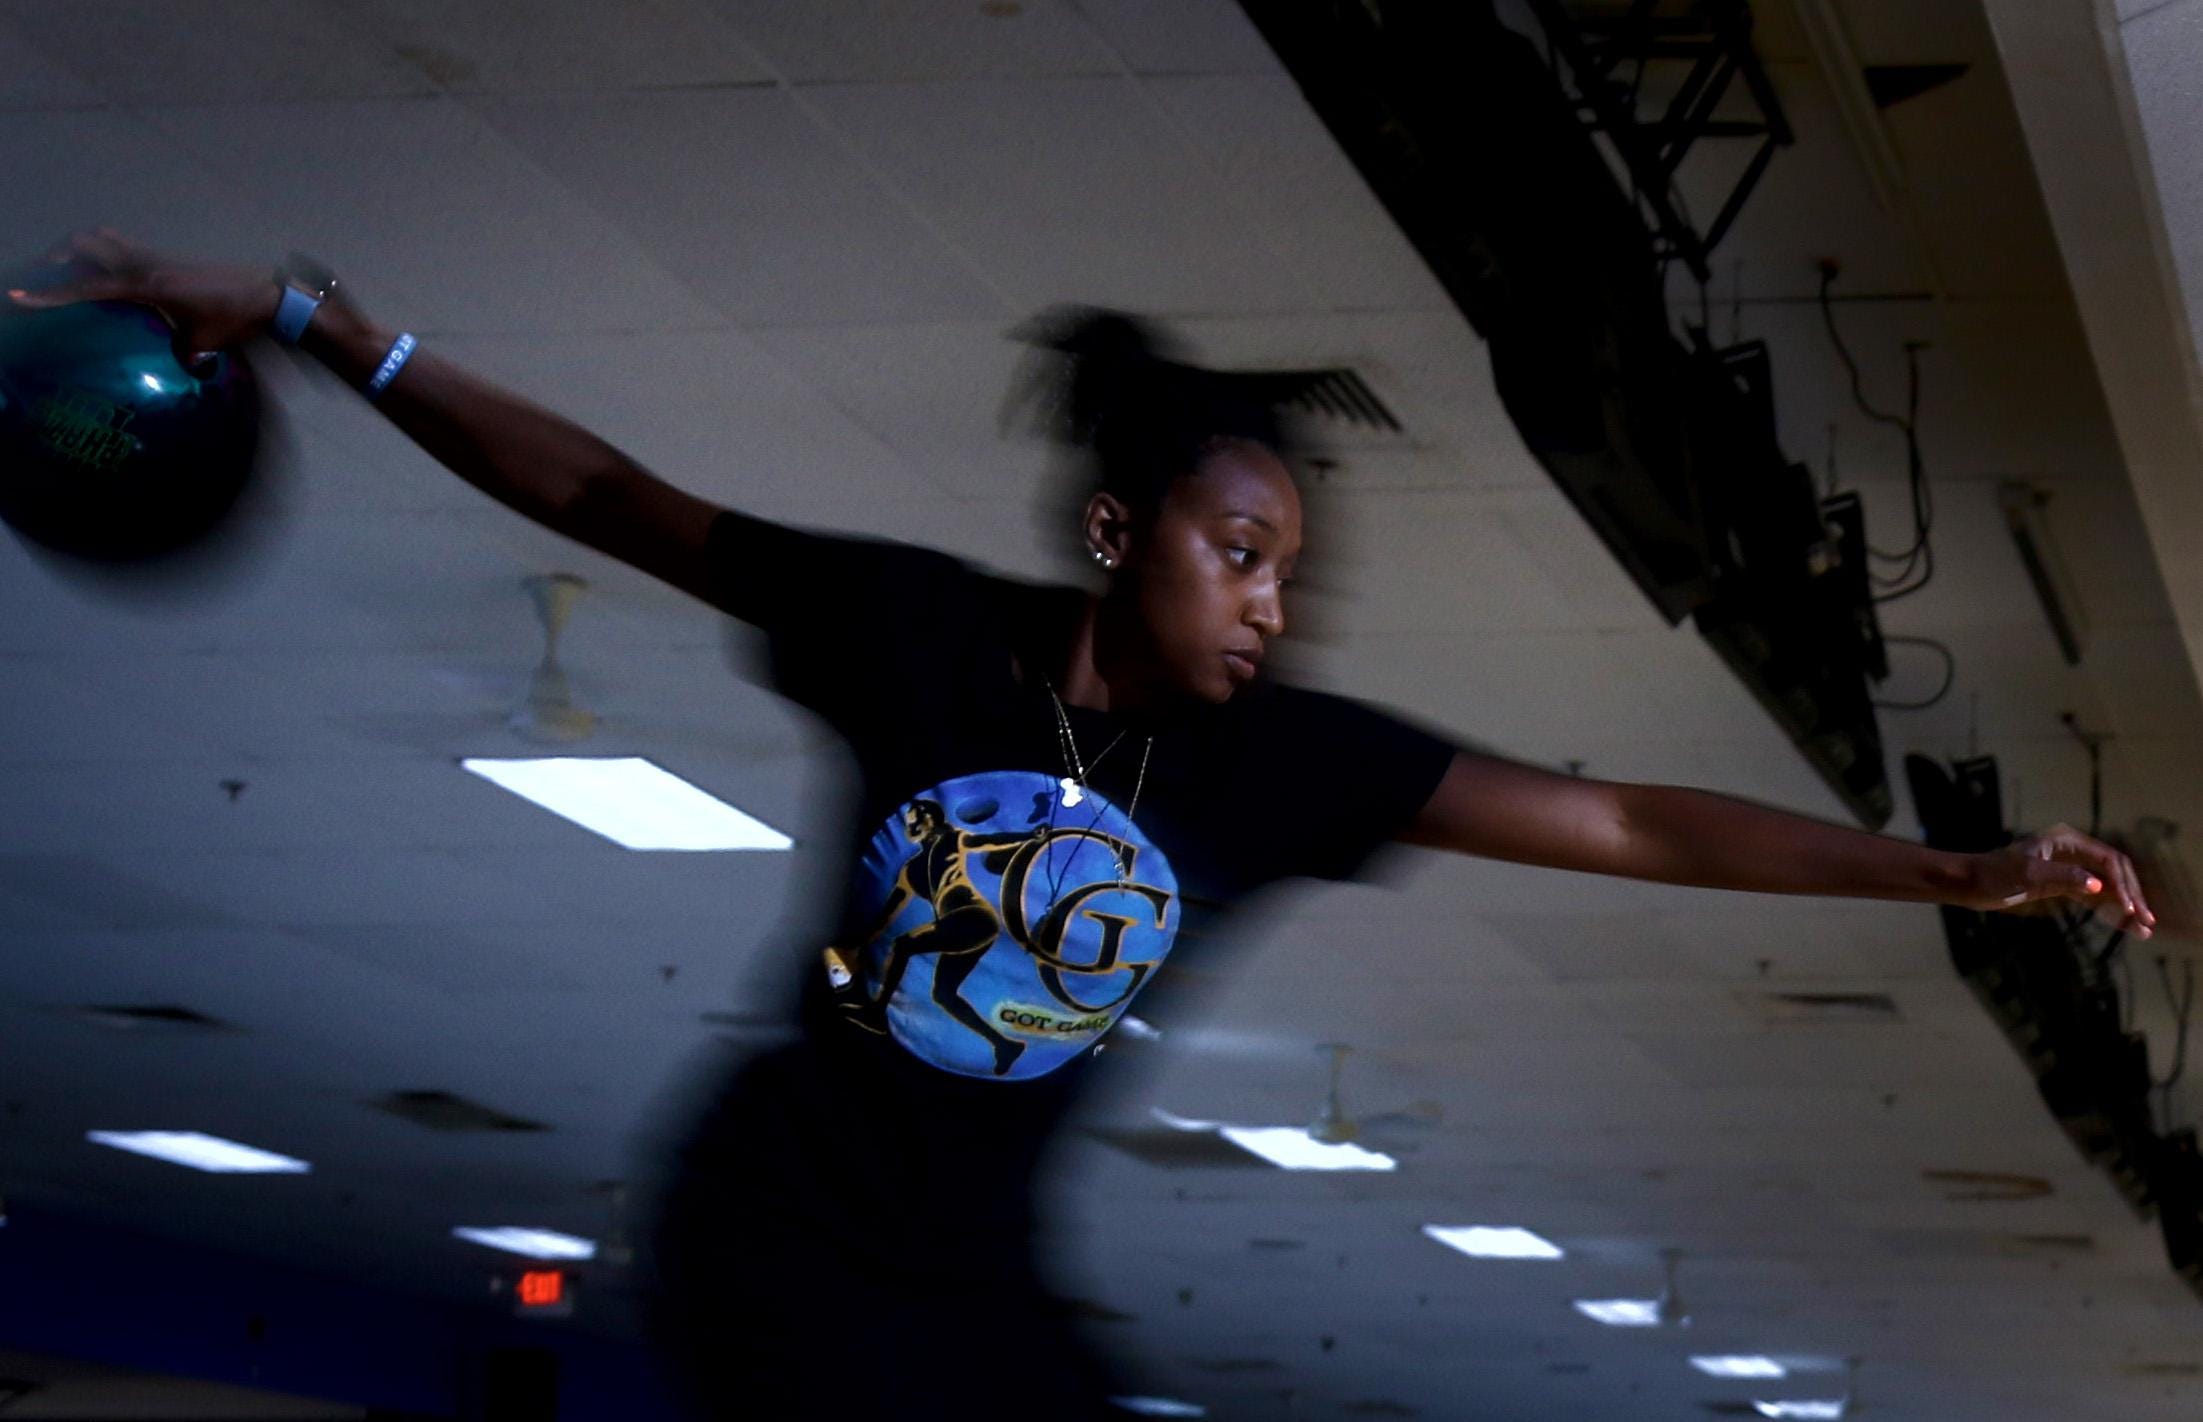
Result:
pixel 1669 834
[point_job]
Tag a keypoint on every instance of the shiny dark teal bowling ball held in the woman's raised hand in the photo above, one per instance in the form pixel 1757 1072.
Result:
pixel 113 449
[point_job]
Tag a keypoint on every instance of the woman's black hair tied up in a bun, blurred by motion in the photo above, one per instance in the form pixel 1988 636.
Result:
pixel 1114 389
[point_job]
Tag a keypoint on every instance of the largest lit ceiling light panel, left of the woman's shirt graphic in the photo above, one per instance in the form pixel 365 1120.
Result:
pixel 631 804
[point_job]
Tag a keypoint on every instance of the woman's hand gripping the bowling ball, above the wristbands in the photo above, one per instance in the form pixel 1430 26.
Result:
pixel 210 308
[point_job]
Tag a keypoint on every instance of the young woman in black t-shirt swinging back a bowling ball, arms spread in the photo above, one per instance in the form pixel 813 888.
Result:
pixel 1056 788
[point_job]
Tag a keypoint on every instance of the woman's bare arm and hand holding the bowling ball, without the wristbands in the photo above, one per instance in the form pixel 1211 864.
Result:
pixel 514 451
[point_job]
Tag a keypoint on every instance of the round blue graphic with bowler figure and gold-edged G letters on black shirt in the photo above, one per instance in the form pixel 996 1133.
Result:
pixel 1008 931
